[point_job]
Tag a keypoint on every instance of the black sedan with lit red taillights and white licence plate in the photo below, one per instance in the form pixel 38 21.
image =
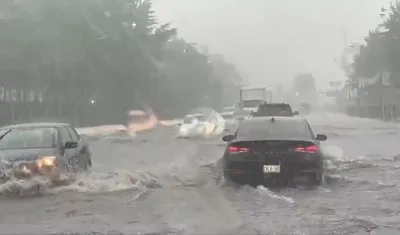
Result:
pixel 271 150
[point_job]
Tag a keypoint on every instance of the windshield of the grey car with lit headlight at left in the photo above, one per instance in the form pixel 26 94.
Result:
pixel 21 138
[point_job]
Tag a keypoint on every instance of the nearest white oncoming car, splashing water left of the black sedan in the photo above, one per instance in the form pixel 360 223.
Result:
pixel 193 126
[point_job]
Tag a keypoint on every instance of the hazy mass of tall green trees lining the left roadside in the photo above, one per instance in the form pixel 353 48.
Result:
pixel 91 61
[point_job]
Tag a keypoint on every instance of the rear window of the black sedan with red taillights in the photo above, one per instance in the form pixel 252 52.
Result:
pixel 272 130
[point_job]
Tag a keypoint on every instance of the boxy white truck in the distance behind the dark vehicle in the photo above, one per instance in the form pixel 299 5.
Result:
pixel 251 98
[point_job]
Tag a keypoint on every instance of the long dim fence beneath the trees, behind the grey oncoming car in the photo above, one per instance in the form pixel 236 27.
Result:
pixel 19 105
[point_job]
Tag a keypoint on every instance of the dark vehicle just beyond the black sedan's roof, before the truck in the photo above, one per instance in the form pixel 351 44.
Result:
pixel 274 109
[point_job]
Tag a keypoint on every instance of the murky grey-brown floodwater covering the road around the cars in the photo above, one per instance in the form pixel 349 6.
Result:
pixel 165 186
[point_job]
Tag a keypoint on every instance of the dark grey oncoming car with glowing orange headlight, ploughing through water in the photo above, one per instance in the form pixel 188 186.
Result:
pixel 48 149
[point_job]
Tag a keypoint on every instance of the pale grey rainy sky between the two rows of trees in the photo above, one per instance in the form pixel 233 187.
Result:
pixel 271 40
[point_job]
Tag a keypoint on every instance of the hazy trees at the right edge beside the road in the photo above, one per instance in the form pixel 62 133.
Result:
pixel 378 63
